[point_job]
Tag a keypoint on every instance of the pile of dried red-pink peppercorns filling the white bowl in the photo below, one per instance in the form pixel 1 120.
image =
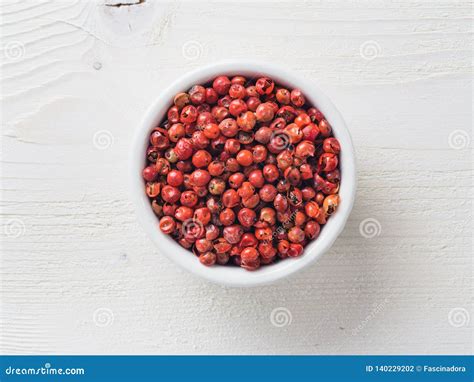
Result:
pixel 242 172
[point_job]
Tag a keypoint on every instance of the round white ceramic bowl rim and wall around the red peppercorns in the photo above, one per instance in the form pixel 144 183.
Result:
pixel 236 276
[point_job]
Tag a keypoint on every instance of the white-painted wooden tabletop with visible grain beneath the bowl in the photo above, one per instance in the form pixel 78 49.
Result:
pixel 79 276
